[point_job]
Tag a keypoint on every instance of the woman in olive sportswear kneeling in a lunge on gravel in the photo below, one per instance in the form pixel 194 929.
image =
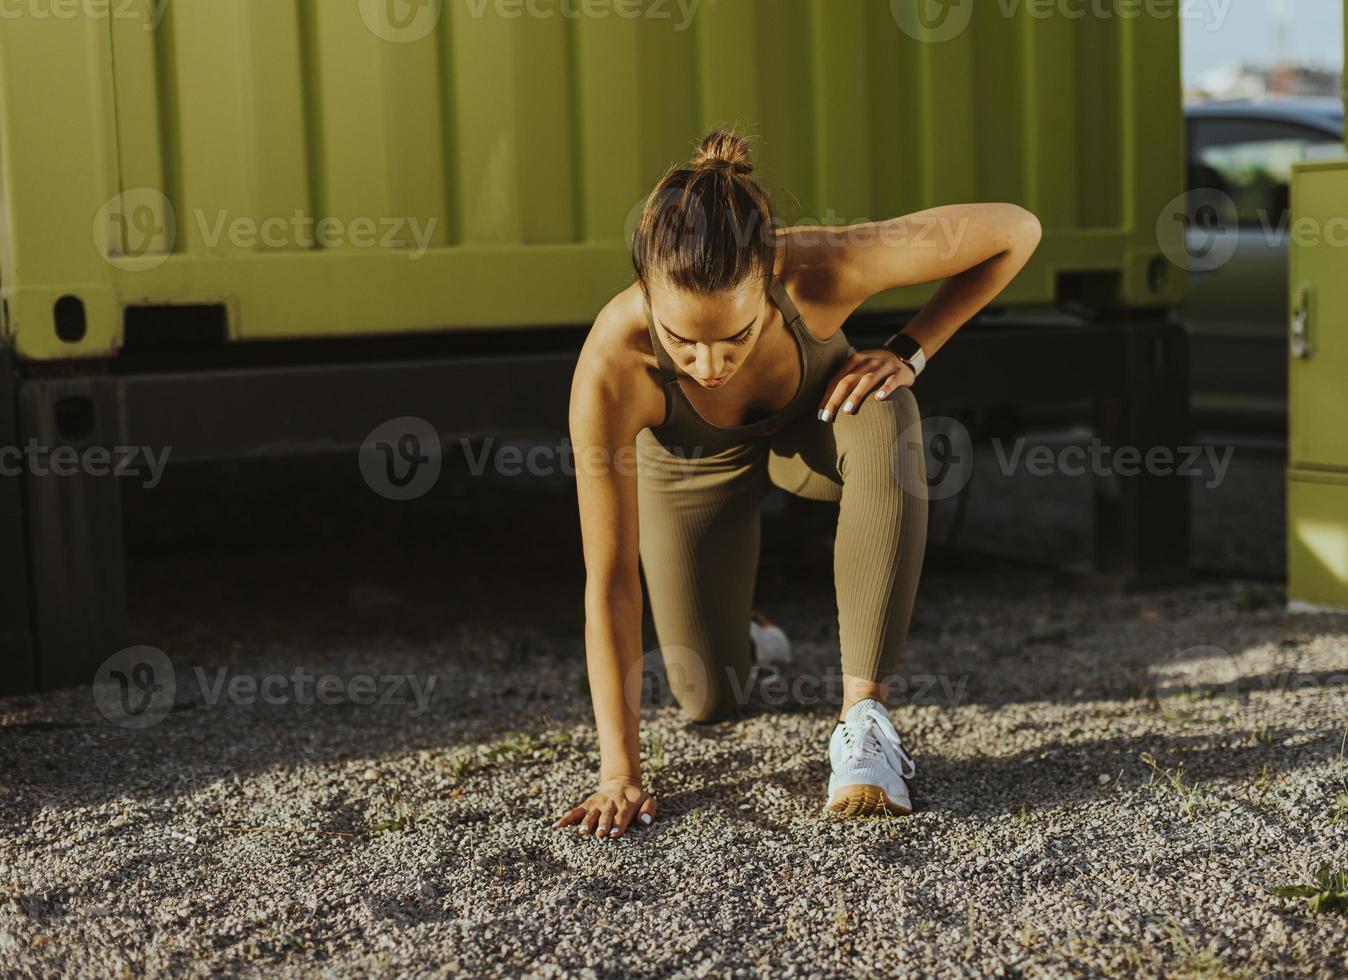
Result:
pixel 722 373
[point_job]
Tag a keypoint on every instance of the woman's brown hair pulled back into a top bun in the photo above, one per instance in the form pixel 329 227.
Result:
pixel 708 226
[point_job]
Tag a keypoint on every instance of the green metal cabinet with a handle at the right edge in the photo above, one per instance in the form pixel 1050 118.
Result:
pixel 1318 437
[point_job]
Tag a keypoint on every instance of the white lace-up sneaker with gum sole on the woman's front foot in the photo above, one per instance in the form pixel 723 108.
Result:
pixel 870 766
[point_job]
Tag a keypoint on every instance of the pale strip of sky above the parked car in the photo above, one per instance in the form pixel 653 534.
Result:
pixel 1221 32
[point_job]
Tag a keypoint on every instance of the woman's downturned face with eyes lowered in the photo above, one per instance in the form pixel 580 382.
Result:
pixel 710 338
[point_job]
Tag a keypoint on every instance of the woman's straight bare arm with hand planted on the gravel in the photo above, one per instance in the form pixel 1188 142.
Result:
pixel 610 397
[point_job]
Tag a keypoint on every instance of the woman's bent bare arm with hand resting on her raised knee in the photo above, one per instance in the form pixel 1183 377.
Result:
pixel 977 249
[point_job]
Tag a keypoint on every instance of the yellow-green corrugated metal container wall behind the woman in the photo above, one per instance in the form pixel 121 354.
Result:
pixel 509 153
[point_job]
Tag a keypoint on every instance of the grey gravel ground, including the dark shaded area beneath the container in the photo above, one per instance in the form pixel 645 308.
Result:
pixel 1106 784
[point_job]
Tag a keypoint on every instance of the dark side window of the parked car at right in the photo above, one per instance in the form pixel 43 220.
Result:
pixel 1252 162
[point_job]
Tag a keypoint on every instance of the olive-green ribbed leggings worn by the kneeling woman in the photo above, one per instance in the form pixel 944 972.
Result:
pixel 700 543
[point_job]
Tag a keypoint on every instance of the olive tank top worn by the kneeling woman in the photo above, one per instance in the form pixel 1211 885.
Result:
pixel 685 432
